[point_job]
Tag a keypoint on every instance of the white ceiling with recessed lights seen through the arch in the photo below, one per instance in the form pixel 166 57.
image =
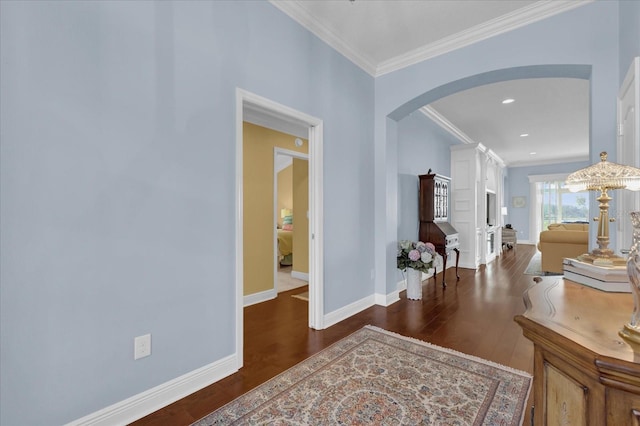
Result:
pixel 553 112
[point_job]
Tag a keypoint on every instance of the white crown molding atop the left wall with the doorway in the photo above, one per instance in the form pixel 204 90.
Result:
pixel 308 21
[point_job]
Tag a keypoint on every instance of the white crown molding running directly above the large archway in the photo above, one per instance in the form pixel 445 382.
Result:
pixel 519 18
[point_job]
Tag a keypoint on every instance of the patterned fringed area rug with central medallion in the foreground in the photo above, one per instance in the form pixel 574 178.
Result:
pixel 377 377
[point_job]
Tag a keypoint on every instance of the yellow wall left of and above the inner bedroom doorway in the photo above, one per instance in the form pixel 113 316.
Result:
pixel 258 220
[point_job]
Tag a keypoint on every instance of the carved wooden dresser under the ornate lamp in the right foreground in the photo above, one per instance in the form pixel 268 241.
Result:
pixel 584 373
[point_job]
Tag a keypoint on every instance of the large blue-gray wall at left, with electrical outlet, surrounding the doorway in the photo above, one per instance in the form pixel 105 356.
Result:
pixel 118 188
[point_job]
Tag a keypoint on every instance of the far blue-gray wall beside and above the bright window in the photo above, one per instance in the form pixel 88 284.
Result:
pixel 518 185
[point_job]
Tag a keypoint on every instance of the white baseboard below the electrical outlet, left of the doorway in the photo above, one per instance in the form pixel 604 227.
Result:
pixel 149 401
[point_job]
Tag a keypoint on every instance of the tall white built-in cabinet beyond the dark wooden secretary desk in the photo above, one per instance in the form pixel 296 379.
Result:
pixel 476 201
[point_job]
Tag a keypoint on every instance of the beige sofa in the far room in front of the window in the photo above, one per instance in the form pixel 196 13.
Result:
pixel 562 240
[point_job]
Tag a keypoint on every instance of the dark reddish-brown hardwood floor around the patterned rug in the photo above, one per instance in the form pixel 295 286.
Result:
pixel 473 316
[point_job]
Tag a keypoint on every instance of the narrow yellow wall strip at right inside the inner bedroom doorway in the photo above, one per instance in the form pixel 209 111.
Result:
pixel 300 219
